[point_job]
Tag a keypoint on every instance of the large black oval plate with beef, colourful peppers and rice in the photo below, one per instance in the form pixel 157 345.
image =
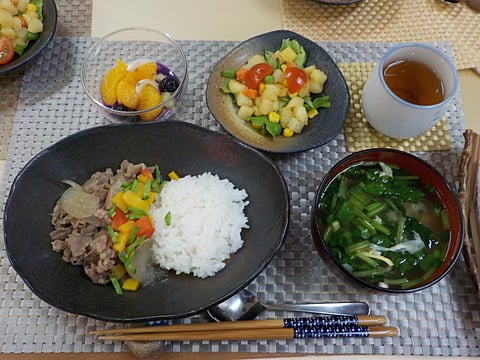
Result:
pixel 153 230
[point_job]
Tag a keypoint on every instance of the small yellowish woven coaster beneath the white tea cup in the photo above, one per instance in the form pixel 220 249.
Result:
pixel 360 135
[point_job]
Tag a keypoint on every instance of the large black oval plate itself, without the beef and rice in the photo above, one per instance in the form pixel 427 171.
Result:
pixel 179 146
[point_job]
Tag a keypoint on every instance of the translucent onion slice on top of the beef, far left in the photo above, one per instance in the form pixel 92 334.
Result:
pixel 77 202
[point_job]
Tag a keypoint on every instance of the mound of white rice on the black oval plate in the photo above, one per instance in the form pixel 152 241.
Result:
pixel 206 219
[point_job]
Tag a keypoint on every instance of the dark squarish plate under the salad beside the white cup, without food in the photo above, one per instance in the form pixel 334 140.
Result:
pixel 321 129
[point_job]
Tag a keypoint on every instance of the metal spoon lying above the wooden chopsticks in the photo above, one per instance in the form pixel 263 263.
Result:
pixel 245 306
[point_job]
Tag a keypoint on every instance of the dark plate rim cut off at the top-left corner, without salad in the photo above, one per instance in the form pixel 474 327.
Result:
pixel 36 47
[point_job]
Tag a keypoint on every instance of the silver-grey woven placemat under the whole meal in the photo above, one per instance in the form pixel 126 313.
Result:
pixel 441 320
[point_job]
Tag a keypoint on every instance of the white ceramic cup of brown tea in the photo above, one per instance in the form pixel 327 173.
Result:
pixel 396 115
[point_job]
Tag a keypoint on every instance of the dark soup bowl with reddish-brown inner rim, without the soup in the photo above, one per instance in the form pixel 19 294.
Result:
pixel 430 178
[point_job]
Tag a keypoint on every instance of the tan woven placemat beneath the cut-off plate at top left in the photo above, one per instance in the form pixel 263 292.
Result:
pixel 74 19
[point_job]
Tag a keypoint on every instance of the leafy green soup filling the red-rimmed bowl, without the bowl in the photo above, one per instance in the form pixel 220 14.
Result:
pixel 383 225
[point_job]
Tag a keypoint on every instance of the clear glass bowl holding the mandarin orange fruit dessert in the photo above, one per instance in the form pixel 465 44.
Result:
pixel 135 45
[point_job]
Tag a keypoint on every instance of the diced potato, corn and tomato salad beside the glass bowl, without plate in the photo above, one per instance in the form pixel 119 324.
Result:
pixel 274 91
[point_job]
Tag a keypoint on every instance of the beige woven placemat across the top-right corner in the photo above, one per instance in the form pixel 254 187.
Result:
pixel 389 21
